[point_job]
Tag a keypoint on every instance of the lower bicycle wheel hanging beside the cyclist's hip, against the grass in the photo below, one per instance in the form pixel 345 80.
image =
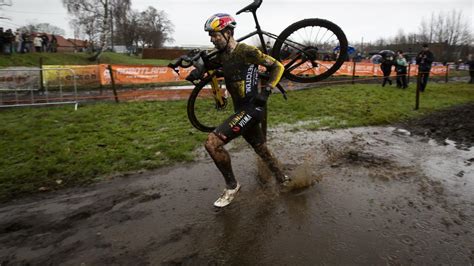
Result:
pixel 203 112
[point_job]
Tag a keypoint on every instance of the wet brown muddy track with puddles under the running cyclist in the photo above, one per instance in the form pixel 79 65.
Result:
pixel 380 195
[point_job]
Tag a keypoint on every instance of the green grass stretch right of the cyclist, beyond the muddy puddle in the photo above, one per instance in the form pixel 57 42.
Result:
pixel 364 104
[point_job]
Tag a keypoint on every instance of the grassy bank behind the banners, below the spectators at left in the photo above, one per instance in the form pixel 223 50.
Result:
pixel 33 59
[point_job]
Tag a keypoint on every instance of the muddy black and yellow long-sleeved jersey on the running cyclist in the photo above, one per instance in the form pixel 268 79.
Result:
pixel 240 69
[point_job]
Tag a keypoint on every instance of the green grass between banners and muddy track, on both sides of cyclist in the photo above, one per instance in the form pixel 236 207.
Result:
pixel 57 147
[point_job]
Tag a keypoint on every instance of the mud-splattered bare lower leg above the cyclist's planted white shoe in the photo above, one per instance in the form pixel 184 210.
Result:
pixel 215 147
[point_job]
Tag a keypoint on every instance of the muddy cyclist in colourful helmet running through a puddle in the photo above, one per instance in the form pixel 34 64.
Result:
pixel 240 66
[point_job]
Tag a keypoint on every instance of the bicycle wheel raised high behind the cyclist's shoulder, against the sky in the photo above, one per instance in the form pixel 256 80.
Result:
pixel 304 45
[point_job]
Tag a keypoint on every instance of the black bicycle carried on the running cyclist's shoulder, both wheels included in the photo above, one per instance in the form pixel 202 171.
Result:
pixel 301 48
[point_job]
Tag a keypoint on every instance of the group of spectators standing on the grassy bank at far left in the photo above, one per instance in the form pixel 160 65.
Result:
pixel 26 42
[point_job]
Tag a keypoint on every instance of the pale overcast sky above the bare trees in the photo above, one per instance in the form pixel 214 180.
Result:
pixel 359 19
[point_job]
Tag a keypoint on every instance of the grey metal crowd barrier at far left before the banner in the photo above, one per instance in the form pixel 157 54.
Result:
pixel 24 86
